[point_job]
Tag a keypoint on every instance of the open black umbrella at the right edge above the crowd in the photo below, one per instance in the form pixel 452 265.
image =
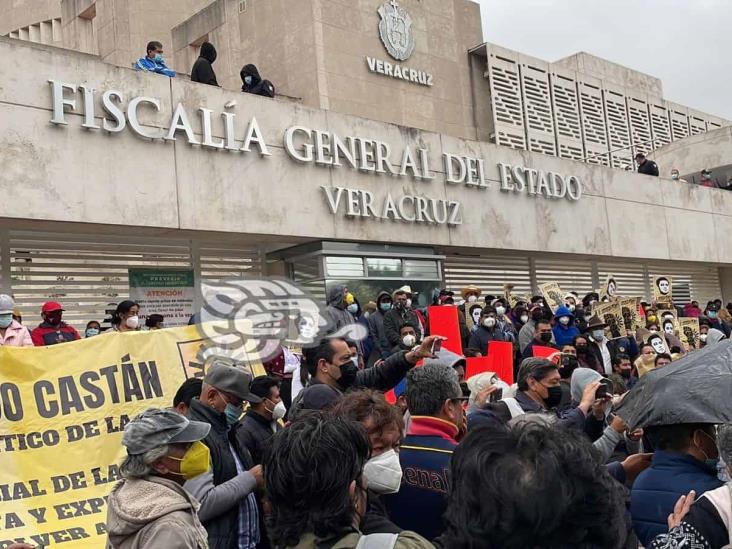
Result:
pixel 694 389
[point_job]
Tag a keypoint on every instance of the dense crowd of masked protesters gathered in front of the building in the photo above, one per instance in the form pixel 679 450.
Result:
pixel 328 461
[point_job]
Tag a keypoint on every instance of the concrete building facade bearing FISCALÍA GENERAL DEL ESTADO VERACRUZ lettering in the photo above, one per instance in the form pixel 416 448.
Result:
pixel 106 168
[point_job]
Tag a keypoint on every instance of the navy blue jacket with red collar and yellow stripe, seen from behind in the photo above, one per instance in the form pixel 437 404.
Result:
pixel 425 458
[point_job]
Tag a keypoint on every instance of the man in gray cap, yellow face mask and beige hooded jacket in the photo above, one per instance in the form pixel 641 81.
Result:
pixel 149 508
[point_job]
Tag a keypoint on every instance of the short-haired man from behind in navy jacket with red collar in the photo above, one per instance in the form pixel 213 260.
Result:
pixel 435 403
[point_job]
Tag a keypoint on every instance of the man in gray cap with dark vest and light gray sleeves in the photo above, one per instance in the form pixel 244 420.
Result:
pixel 226 492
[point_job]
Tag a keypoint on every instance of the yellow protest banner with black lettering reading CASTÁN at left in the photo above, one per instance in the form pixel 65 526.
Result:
pixel 62 412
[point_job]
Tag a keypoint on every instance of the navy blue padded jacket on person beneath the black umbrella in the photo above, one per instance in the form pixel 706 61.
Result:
pixel 657 489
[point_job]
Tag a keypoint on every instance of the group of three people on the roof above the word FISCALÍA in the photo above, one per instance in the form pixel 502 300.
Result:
pixel 202 70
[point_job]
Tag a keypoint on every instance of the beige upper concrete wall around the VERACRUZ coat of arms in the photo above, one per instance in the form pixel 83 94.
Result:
pixel 316 50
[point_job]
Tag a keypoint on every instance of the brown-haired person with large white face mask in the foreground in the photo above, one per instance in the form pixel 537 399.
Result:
pixel 384 425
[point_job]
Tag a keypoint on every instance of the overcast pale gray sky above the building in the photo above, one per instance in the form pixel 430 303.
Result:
pixel 685 43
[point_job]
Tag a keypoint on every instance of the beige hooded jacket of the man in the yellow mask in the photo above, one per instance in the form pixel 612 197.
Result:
pixel 153 512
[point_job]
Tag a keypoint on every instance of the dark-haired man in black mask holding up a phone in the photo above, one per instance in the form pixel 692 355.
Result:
pixel 540 392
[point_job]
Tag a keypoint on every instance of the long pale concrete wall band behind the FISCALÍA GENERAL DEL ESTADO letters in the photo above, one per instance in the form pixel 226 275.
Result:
pixel 69 174
